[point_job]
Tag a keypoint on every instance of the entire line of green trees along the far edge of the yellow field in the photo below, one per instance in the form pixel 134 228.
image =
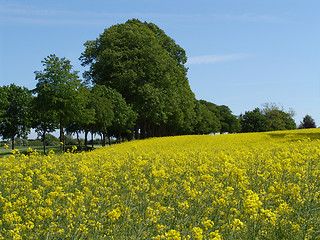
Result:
pixel 135 87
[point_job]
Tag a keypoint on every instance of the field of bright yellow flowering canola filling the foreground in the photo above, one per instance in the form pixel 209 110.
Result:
pixel 237 186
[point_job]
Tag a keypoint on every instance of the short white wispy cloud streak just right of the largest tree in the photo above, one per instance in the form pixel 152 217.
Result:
pixel 210 59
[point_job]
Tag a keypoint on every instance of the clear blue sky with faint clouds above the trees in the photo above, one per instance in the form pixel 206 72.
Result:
pixel 241 53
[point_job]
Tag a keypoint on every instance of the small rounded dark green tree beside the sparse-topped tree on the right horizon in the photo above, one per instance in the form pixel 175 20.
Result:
pixel 253 121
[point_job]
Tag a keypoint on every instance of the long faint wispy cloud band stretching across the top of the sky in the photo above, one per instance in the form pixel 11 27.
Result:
pixel 28 14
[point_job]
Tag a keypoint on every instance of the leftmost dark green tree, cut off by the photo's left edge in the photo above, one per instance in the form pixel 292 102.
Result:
pixel 15 113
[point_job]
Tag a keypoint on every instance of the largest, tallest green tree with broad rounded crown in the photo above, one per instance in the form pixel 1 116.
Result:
pixel 146 67
